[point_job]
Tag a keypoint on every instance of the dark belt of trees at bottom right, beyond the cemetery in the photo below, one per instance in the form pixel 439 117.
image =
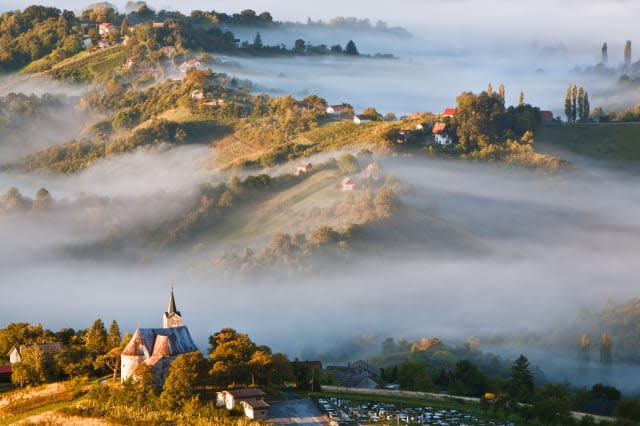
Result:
pixel 518 387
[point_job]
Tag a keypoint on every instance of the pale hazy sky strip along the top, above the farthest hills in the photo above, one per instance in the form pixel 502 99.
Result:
pixel 570 20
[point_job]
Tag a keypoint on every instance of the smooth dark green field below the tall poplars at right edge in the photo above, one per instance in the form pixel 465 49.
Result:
pixel 617 143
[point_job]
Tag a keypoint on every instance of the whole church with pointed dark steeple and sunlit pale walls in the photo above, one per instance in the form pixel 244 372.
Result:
pixel 157 347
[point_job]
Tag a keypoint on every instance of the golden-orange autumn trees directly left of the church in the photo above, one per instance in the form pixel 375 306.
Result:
pixel 87 352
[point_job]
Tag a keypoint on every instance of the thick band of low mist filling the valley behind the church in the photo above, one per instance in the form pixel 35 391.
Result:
pixel 528 251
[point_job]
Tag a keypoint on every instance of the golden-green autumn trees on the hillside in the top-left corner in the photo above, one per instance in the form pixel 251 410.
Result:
pixel 35 32
